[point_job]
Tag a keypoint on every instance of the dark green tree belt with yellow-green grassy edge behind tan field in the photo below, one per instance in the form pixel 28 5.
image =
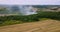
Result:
pixel 30 18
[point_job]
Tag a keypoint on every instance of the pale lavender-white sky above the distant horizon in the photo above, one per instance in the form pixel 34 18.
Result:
pixel 30 2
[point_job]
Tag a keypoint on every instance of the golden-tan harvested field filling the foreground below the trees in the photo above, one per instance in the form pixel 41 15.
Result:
pixel 42 26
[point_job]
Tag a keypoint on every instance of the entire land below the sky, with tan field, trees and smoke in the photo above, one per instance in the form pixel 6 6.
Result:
pixel 30 18
